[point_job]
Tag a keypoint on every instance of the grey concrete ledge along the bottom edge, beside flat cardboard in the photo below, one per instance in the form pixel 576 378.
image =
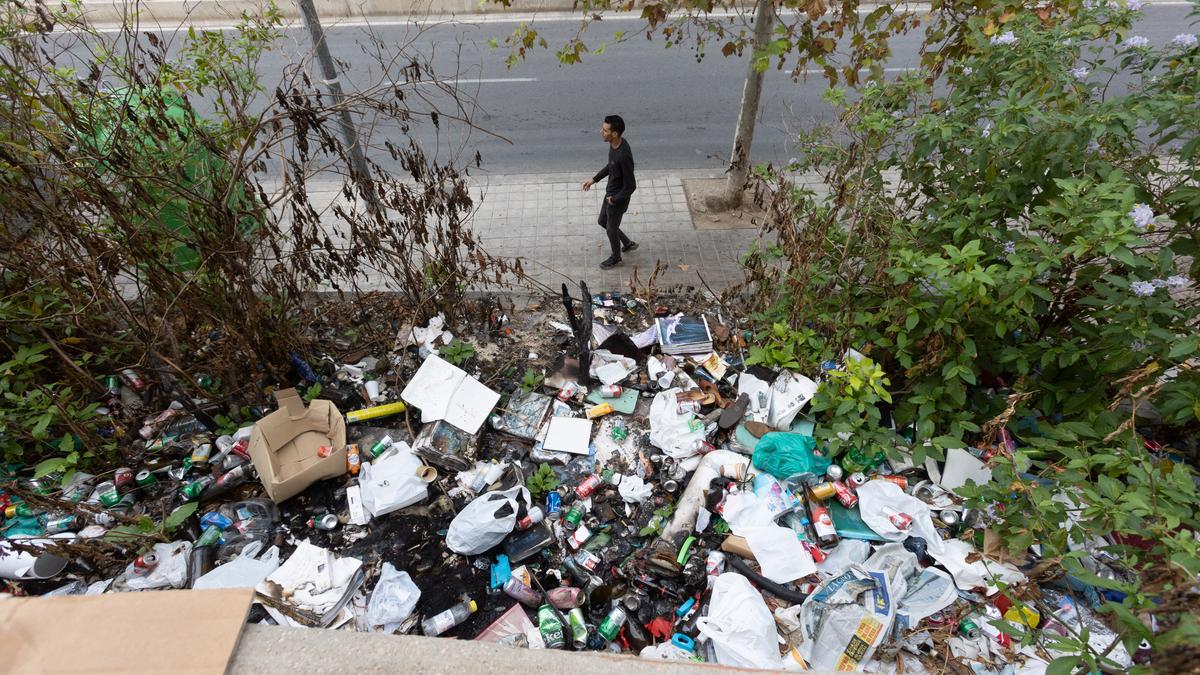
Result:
pixel 289 652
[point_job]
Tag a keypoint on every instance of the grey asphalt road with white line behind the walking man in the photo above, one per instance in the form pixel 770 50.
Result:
pixel 680 114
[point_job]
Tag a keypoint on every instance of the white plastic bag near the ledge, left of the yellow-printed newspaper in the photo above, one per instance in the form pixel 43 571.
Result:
pixel 740 625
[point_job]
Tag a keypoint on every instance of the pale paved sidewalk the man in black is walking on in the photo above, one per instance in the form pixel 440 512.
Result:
pixel 550 223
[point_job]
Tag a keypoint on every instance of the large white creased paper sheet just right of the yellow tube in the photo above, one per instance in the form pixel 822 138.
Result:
pixel 443 391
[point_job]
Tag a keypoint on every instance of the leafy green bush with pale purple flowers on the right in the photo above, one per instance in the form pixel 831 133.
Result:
pixel 1013 241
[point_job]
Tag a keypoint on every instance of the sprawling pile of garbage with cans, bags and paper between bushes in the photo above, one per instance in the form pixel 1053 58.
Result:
pixel 641 492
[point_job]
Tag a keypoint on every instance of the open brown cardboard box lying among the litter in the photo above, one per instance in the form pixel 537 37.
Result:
pixel 284 445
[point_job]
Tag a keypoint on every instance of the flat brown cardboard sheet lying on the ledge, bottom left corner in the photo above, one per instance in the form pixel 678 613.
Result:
pixel 158 632
